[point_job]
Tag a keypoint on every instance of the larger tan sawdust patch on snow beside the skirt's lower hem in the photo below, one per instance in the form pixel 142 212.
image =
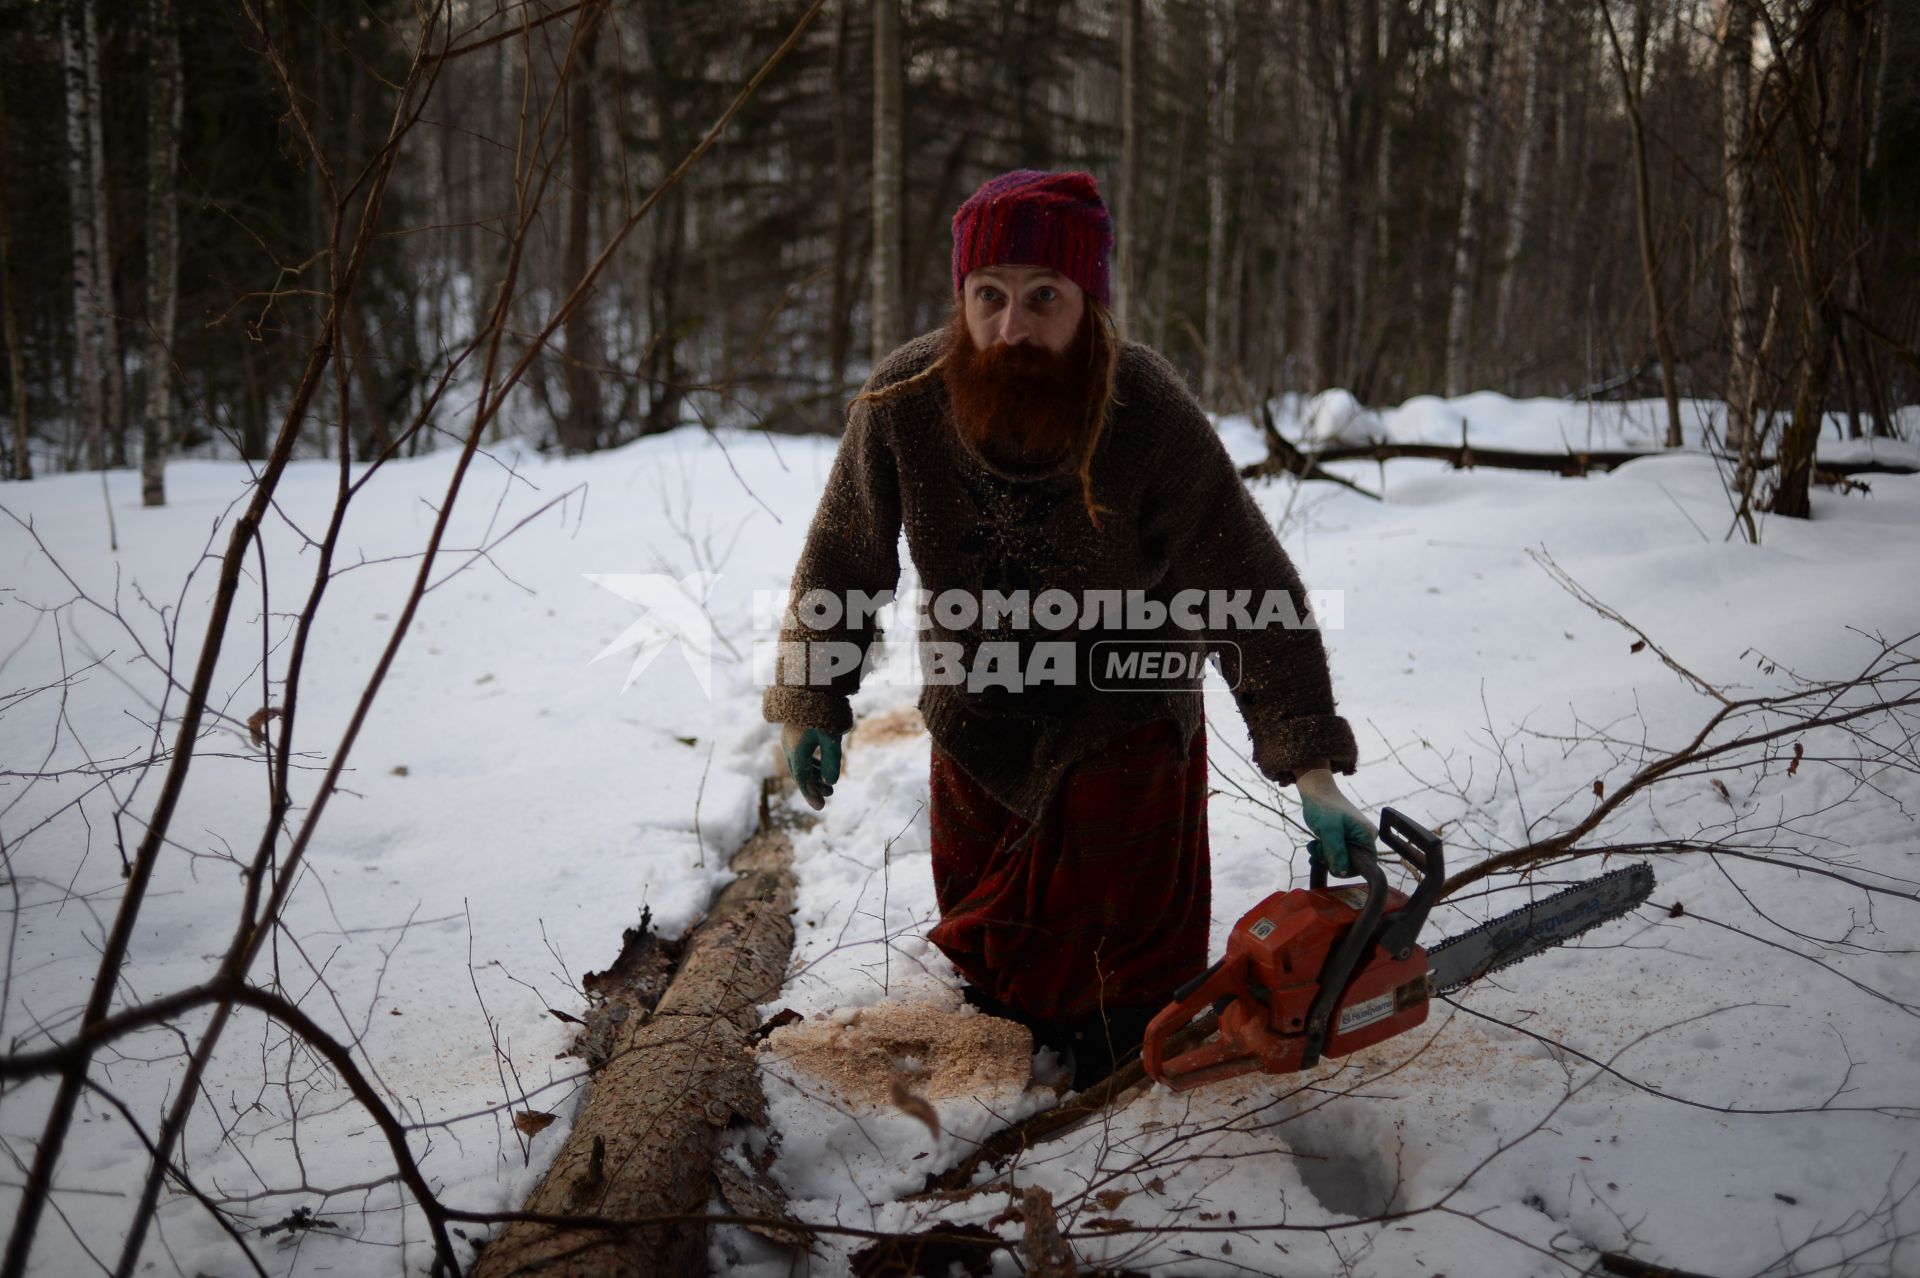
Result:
pixel 932 1051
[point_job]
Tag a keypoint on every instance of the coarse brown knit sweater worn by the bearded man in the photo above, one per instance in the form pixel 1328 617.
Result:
pixel 1176 517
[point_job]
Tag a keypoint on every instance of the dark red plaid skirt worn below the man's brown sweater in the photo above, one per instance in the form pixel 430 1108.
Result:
pixel 1105 903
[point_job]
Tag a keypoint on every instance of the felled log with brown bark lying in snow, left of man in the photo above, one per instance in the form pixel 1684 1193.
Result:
pixel 646 1141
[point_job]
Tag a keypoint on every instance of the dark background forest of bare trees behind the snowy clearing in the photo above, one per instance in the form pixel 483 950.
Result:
pixel 1387 197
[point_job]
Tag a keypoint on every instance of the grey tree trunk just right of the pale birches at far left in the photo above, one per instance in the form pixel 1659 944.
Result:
pixel 162 247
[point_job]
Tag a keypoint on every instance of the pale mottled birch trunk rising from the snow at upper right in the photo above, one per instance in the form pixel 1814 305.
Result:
pixel 1742 254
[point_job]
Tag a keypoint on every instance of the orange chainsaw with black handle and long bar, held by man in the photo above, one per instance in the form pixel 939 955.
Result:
pixel 1324 972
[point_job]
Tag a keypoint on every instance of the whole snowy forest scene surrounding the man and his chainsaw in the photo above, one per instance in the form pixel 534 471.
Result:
pixel 398 882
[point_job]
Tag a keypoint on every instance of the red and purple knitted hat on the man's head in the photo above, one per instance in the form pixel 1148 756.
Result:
pixel 1030 218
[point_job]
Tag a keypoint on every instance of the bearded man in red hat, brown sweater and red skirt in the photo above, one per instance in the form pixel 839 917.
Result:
pixel 1028 452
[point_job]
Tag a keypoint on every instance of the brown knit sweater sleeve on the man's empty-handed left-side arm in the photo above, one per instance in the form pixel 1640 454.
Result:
pixel 852 546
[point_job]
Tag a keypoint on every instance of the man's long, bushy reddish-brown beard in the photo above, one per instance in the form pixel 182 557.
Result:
pixel 1020 406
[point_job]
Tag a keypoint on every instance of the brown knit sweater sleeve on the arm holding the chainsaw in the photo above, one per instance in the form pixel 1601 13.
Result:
pixel 1214 538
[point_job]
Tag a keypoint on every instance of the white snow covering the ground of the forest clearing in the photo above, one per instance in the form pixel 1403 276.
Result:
pixel 514 805
